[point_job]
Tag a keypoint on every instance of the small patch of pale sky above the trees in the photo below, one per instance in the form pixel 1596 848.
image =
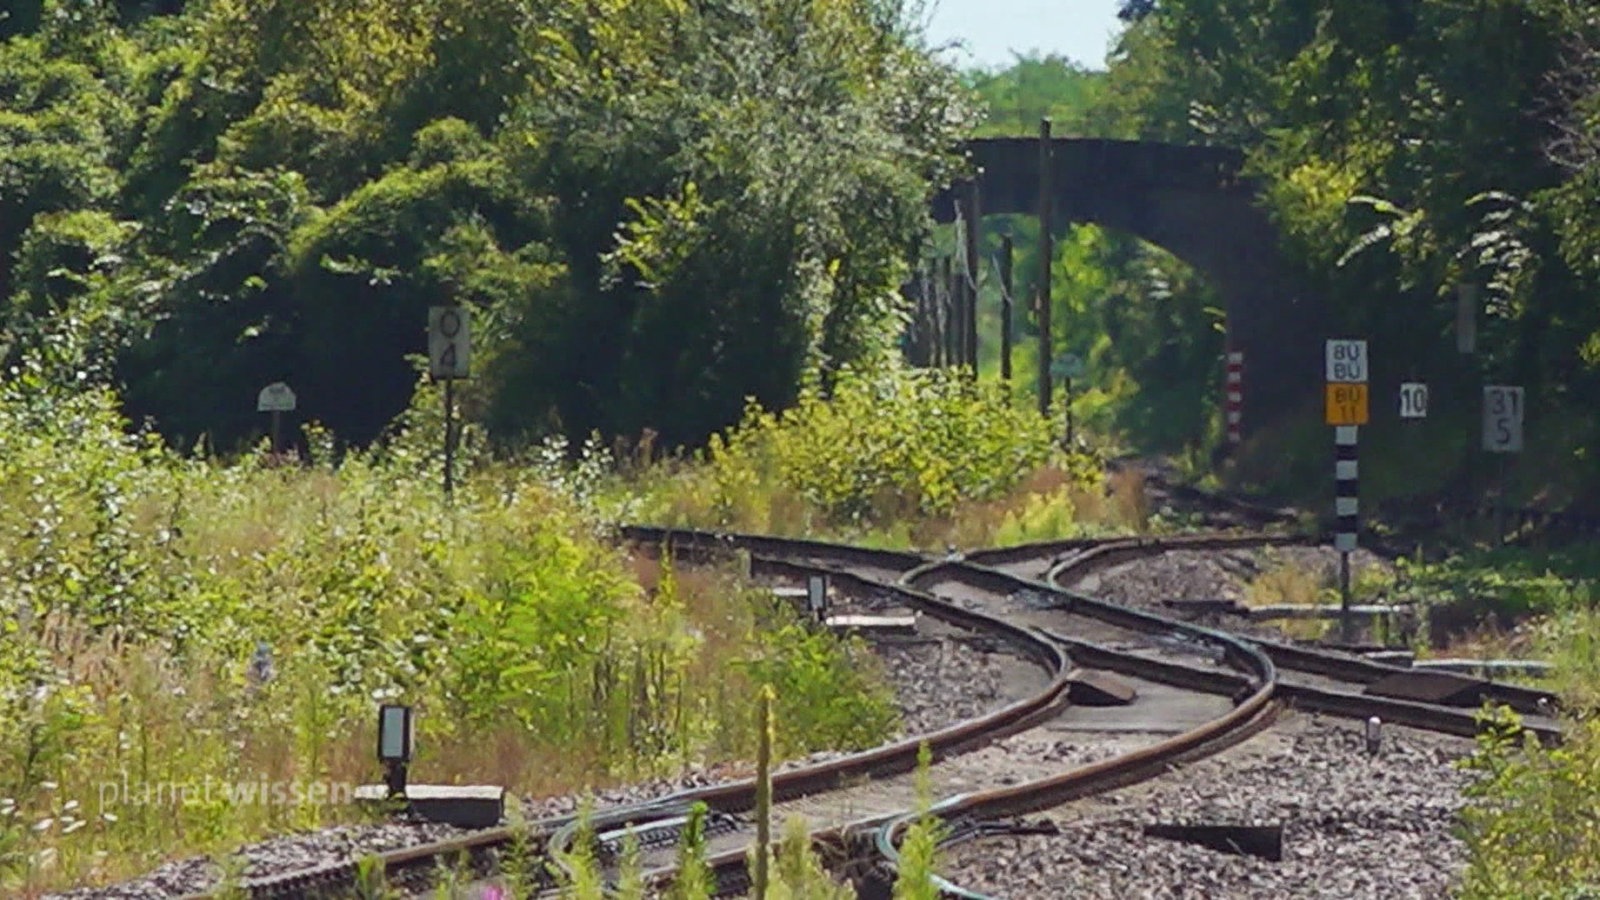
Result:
pixel 993 30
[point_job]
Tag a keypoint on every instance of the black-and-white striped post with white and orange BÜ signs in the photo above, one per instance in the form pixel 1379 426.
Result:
pixel 1346 411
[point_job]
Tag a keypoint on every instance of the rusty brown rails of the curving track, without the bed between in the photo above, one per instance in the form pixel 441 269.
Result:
pixel 860 569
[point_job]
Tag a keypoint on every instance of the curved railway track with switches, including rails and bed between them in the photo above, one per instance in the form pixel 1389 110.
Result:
pixel 1201 691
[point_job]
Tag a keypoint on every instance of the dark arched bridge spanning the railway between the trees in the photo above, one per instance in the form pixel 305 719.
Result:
pixel 1193 203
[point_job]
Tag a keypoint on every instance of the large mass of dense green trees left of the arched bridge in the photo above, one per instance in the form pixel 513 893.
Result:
pixel 657 209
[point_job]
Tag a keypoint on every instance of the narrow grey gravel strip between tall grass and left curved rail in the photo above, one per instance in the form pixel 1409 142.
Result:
pixel 937 683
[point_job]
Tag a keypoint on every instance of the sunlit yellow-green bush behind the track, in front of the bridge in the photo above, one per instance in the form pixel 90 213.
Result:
pixel 882 452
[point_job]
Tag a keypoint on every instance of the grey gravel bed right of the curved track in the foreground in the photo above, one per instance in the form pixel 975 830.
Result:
pixel 1353 827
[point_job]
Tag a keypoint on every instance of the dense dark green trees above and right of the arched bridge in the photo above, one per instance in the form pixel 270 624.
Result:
pixel 1410 150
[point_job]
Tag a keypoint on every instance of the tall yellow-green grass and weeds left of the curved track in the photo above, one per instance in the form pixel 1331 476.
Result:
pixel 182 630
